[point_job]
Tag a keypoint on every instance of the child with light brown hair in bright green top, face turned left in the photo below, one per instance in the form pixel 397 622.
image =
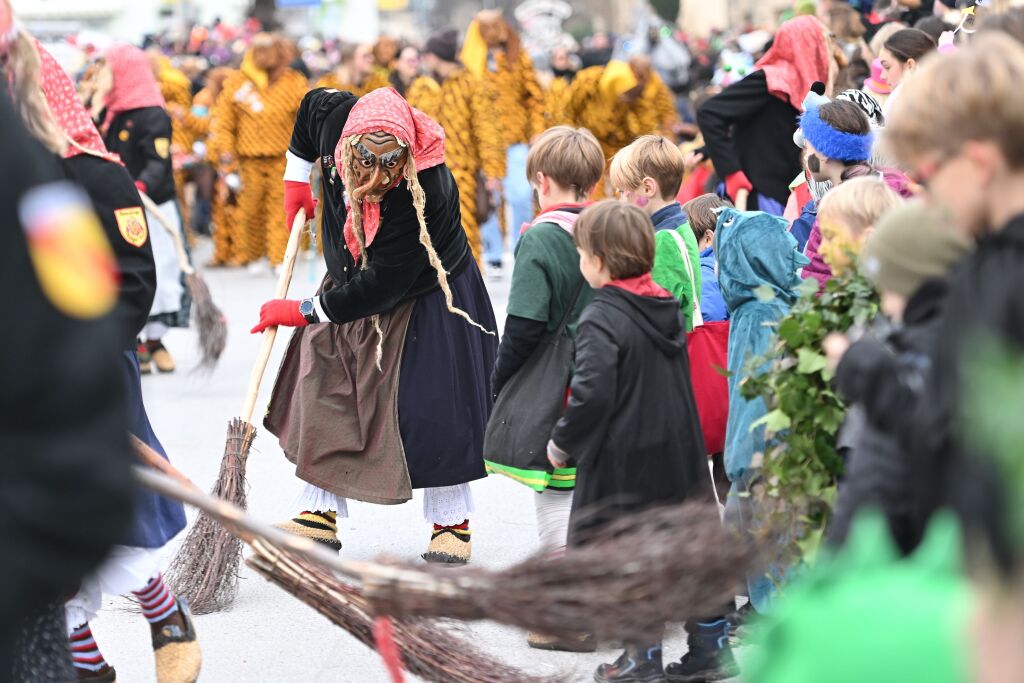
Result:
pixel 648 175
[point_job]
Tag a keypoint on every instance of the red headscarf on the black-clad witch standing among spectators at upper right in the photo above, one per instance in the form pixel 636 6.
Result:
pixel 798 58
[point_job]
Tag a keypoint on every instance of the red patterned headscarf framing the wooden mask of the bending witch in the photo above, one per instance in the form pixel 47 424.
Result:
pixel 385 110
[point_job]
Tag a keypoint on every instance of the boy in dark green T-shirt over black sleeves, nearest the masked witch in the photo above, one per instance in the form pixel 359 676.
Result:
pixel 564 166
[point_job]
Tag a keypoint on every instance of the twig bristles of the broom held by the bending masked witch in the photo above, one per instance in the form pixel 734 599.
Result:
pixel 205 571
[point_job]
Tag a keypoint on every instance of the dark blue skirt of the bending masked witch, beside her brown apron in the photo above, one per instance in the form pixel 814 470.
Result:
pixel 444 388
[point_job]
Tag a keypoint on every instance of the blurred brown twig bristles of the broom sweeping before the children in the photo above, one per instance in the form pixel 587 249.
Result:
pixel 668 565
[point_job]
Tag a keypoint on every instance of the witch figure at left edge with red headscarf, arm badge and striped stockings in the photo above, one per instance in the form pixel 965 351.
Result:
pixel 53 110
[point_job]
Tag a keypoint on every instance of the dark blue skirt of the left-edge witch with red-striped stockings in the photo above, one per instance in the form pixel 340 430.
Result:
pixel 157 520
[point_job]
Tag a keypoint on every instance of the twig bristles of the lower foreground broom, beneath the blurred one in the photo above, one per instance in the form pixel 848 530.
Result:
pixel 430 650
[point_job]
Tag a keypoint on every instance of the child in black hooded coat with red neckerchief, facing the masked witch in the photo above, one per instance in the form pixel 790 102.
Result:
pixel 632 377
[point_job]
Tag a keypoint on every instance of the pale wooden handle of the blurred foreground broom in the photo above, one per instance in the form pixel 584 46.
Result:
pixel 250 531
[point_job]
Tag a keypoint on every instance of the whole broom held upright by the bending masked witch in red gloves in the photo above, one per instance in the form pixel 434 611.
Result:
pixel 205 571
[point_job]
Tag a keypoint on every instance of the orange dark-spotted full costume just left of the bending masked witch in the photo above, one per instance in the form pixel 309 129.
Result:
pixel 252 122
